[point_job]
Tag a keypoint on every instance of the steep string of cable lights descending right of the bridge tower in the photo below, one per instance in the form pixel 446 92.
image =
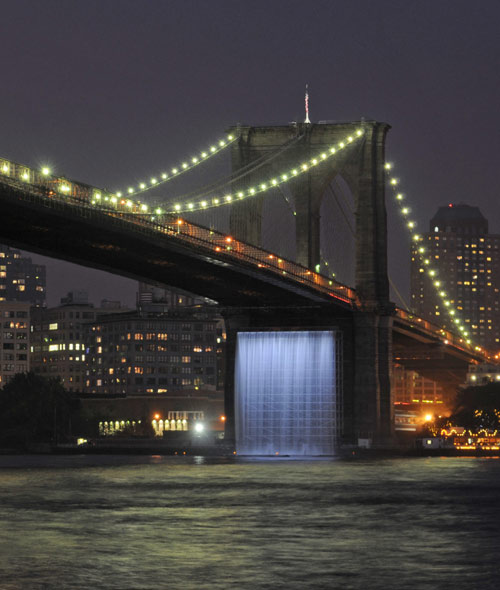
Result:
pixel 426 262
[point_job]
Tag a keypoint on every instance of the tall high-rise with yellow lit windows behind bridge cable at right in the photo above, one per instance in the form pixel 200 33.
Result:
pixel 467 261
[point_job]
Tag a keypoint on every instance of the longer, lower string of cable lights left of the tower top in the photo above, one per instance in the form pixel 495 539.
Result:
pixel 287 176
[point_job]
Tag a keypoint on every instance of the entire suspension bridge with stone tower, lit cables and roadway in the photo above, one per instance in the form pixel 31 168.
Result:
pixel 310 282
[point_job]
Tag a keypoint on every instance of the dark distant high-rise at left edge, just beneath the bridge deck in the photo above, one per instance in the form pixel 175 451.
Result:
pixel 20 279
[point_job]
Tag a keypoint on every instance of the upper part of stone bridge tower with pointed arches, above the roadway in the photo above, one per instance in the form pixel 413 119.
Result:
pixel 361 165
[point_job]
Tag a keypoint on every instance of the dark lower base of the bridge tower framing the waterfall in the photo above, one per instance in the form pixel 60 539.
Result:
pixel 364 341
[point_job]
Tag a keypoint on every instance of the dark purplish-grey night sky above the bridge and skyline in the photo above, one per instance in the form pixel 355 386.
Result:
pixel 109 91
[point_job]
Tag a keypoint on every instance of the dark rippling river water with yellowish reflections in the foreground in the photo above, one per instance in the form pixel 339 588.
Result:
pixel 151 522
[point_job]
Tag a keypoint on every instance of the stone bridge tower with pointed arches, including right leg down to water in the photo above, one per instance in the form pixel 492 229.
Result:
pixel 361 165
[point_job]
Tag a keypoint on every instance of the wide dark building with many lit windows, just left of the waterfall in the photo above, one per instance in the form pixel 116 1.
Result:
pixel 153 350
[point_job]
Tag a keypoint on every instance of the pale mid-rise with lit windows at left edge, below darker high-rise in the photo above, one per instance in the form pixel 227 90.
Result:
pixel 14 339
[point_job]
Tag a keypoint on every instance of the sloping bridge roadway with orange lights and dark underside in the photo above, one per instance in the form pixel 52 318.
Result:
pixel 175 252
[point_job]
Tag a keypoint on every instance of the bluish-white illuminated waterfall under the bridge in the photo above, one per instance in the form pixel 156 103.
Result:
pixel 285 393
